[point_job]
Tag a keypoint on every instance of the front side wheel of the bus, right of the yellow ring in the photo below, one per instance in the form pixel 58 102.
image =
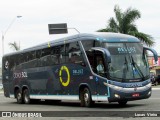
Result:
pixel 85 97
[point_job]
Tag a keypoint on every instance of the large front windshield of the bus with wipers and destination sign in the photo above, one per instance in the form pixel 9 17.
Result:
pixel 128 62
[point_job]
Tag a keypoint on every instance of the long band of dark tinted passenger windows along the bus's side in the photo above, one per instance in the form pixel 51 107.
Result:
pixel 68 53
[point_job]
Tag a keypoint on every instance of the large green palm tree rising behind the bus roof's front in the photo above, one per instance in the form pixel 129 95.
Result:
pixel 124 23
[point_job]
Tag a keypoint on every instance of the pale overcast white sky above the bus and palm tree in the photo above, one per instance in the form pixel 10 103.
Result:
pixel 85 15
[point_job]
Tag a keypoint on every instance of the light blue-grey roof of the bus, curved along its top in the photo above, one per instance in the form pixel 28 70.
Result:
pixel 101 36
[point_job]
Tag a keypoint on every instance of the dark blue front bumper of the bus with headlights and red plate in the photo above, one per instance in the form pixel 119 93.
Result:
pixel 129 94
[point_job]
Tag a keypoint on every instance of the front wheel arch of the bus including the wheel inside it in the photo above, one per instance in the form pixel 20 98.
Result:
pixel 85 96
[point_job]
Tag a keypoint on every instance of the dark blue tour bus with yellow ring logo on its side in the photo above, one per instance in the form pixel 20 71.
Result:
pixel 107 67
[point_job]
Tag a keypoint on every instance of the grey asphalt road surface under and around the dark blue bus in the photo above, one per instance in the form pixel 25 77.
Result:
pixel 71 109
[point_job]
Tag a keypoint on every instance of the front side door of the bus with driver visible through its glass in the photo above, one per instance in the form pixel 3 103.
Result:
pixel 100 64
